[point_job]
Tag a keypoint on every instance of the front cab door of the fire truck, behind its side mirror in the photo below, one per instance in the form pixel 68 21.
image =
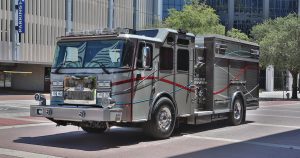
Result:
pixel 145 76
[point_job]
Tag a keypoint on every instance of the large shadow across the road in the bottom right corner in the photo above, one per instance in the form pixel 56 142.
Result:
pixel 285 144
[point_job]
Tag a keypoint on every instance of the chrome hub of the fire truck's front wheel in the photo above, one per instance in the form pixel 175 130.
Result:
pixel 164 118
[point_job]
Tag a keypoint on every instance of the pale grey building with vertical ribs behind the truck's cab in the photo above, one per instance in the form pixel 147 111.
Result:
pixel 26 58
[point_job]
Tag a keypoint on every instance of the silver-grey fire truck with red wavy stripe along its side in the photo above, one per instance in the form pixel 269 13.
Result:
pixel 152 78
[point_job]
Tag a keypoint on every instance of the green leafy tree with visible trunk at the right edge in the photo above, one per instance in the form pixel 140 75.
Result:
pixel 280 42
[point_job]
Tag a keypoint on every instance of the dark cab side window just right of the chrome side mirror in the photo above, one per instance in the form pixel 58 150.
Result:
pixel 166 58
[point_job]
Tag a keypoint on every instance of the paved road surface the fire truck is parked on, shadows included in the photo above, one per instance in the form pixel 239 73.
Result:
pixel 273 131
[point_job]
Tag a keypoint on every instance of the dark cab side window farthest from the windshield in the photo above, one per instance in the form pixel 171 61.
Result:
pixel 183 60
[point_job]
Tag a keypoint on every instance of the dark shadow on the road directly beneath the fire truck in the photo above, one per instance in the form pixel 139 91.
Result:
pixel 115 138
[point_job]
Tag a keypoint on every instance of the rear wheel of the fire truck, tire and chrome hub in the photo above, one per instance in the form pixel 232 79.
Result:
pixel 236 116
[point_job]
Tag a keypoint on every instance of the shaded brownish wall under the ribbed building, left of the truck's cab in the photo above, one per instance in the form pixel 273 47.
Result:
pixel 33 81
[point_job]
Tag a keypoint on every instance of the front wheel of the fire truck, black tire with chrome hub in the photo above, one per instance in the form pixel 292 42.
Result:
pixel 162 120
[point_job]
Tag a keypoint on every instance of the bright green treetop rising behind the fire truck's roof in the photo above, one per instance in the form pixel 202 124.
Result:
pixel 196 18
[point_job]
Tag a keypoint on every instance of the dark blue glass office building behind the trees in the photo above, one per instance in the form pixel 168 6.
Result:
pixel 242 14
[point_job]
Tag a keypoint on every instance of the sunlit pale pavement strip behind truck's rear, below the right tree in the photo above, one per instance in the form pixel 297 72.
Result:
pixel 275 95
